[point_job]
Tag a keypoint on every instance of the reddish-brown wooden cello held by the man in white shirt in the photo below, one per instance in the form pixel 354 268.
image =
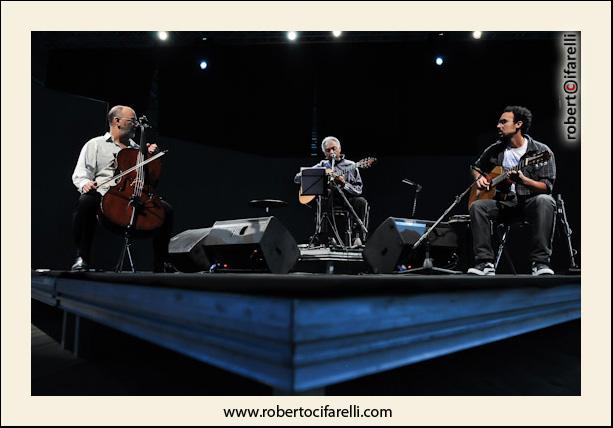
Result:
pixel 132 202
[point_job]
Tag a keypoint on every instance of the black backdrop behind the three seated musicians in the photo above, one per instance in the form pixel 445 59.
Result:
pixel 240 129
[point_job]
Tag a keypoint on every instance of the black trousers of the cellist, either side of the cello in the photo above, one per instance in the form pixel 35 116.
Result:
pixel 84 226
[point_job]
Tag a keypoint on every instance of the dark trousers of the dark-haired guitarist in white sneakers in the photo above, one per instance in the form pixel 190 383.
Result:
pixel 538 210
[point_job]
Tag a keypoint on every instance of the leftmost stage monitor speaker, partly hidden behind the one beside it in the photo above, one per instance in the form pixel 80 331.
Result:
pixel 186 250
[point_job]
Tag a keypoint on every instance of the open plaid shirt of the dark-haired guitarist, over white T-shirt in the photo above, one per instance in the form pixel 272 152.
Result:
pixel 494 155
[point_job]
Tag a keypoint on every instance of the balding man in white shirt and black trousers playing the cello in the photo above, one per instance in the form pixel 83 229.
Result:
pixel 95 164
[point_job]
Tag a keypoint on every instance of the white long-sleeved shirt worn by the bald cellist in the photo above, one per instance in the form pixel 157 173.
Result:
pixel 97 162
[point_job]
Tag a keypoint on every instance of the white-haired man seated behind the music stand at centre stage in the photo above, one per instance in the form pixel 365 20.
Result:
pixel 347 175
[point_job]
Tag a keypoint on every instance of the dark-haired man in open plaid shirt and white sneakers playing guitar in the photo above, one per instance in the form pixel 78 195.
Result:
pixel 520 189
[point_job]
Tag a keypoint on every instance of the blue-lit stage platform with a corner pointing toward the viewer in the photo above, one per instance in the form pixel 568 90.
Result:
pixel 300 332
